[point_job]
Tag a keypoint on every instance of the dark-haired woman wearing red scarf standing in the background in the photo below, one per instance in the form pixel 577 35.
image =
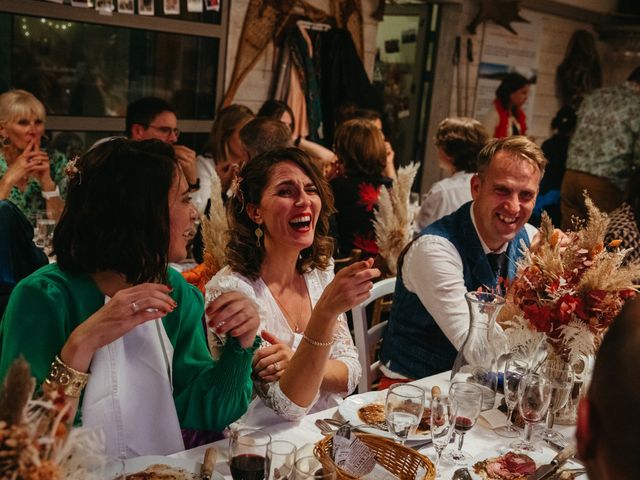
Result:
pixel 507 117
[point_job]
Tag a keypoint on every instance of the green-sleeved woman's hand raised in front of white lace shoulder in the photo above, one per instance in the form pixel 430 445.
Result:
pixel 235 314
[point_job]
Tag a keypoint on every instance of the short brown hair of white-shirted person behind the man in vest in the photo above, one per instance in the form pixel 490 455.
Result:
pixel 461 138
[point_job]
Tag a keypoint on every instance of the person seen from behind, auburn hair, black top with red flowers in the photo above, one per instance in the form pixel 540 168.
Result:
pixel 361 151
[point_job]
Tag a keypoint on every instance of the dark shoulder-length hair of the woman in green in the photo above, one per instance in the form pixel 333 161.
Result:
pixel 116 214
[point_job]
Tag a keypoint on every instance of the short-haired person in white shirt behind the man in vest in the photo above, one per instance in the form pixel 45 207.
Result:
pixel 458 140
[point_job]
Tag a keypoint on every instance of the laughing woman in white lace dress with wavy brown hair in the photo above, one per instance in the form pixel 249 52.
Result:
pixel 279 256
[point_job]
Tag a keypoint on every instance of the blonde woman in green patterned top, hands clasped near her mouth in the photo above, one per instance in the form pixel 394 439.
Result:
pixel 29 177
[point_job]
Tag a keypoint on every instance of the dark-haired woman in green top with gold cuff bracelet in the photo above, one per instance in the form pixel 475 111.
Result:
pixel 112 303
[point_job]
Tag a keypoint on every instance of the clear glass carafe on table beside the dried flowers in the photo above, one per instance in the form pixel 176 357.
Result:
pixel 477 360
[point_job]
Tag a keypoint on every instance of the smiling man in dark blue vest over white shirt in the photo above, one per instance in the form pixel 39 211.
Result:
pixel 464 251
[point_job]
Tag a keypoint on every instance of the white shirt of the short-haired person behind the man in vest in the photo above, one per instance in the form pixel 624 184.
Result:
pixel 444 197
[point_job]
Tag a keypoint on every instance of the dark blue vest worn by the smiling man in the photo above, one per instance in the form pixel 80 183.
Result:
pixel 413 344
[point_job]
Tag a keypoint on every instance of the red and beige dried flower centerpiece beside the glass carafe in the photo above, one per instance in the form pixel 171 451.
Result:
pixel 570 291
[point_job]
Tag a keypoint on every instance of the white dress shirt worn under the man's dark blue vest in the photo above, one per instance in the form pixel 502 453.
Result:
pixel 433 270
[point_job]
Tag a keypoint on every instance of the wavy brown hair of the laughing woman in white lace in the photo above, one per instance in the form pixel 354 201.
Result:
pixel 242 254
